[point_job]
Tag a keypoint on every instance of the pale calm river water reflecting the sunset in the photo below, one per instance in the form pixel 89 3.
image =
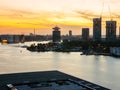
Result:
pixel 102 70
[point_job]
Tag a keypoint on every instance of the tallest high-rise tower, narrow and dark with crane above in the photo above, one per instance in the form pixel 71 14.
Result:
pixel 97 28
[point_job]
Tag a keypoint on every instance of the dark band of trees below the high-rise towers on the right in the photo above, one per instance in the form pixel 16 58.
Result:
pixel 97 46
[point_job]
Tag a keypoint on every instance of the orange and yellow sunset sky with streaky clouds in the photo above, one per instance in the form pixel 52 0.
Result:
pixel 22 16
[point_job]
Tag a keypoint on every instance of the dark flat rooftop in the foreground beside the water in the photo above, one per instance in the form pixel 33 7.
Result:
pixel 46 80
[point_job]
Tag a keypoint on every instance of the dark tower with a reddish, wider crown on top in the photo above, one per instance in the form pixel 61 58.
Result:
pixel 56 36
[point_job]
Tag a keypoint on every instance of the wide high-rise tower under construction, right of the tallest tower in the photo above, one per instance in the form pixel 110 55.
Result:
pixel 110 30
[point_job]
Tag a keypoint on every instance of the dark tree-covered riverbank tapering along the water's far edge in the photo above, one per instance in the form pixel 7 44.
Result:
pixel 58 48
